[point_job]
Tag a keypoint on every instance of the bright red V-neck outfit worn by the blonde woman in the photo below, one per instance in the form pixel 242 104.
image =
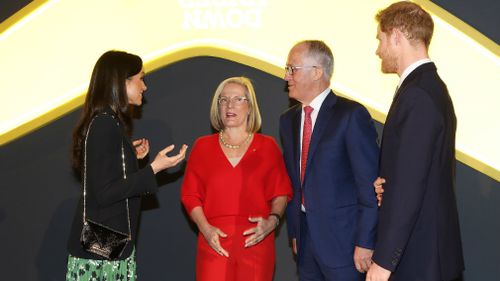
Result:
pixel 229 196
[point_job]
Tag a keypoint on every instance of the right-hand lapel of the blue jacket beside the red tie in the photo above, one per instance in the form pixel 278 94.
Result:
pixel 324 115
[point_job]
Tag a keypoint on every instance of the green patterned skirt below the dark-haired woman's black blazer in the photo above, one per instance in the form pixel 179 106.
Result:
pixel 101 270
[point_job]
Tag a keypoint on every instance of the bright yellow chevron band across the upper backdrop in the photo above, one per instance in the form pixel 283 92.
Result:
pixel 48 49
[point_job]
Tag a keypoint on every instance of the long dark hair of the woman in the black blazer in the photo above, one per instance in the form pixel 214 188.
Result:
pixel 107 90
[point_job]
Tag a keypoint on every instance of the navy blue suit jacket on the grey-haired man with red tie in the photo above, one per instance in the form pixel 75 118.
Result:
pixel 338 185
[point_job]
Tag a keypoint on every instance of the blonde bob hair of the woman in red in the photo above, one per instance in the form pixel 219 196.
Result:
pixel 254 120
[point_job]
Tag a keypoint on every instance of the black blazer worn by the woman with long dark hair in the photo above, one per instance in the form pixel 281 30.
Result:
pixel 106 188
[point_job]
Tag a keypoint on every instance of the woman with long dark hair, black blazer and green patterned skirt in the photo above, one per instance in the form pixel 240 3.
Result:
pixel 107 160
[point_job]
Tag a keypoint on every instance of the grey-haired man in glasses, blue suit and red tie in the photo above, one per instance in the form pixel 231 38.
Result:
pixel 331 154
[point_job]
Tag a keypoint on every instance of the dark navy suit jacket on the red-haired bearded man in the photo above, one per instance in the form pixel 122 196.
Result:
pixel 418 231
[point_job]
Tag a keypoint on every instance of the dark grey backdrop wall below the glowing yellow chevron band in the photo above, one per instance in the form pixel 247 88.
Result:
pixel 39 190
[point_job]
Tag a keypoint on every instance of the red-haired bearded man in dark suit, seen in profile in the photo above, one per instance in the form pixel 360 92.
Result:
pixel 418 233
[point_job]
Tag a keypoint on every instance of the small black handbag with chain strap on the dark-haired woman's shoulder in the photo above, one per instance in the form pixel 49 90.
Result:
pixel 97 238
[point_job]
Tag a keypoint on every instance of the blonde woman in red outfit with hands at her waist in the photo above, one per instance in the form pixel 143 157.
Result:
pixel 235 189
